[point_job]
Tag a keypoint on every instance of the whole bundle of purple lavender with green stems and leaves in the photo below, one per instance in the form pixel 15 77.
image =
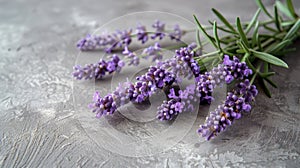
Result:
pixel 243 57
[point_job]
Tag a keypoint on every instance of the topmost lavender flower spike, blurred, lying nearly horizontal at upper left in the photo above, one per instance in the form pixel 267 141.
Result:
pixel 122 39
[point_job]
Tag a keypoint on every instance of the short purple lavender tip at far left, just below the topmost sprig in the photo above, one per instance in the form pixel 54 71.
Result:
pixel 99 69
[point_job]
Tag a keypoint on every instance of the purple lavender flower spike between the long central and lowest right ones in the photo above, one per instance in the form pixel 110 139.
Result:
pixel 204 86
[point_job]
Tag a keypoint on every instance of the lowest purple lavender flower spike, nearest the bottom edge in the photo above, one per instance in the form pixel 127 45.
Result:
pixel 236 102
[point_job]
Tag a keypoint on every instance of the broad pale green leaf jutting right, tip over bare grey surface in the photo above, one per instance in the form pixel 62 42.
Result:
pixel 269 58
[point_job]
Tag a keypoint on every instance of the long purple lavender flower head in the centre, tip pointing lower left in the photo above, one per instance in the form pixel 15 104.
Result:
pixel 147 84
